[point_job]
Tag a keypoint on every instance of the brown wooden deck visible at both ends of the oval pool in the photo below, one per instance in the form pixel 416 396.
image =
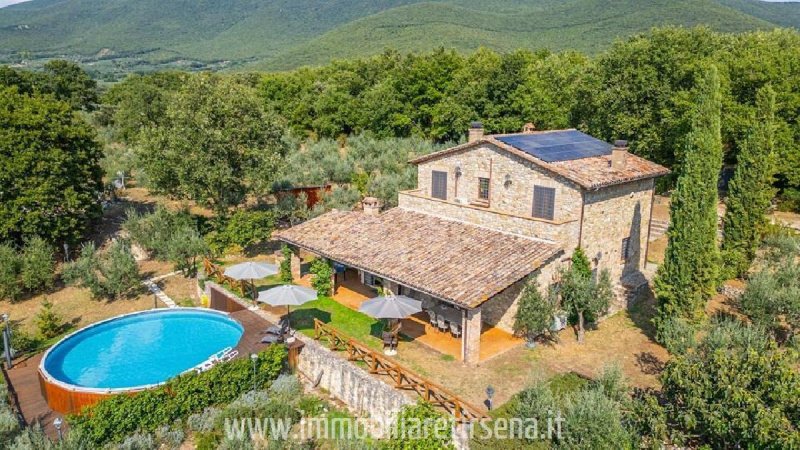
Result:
pixel 24 378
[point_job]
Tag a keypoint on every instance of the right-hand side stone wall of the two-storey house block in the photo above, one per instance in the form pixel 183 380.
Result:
pixel 612 214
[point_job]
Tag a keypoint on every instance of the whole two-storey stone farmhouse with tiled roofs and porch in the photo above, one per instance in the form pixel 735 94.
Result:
pixel 487 214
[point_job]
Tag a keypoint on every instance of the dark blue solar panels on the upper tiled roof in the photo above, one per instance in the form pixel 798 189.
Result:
pixel 558 145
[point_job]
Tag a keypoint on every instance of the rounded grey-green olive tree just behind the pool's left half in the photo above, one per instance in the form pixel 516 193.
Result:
pixel 111 274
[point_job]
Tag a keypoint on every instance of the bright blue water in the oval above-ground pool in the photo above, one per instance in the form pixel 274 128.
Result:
pixel 140 349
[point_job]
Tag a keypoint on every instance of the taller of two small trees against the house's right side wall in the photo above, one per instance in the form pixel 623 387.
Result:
pixel 581 293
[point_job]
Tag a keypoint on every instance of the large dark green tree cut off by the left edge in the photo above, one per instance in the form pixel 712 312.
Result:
pixel 49 170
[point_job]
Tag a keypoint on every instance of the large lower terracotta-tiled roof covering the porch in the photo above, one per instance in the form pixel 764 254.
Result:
pixel 461 263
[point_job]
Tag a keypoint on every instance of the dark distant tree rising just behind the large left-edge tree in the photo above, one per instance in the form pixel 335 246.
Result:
pixel 68 82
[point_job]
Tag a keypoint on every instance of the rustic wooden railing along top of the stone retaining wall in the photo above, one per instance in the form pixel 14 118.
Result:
pixel 401 377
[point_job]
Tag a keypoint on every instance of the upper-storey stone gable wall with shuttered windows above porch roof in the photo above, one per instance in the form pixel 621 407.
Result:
pixel 511 181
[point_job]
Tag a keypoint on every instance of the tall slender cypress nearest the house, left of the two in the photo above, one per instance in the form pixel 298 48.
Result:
pixel 690 271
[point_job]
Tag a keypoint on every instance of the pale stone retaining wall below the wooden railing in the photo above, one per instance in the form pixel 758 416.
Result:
pixel 365 394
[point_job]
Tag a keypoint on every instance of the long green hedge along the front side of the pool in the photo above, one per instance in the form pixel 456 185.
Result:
pixel 115 418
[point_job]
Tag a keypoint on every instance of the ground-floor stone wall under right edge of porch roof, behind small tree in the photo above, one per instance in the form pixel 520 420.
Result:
pixel 499 311
